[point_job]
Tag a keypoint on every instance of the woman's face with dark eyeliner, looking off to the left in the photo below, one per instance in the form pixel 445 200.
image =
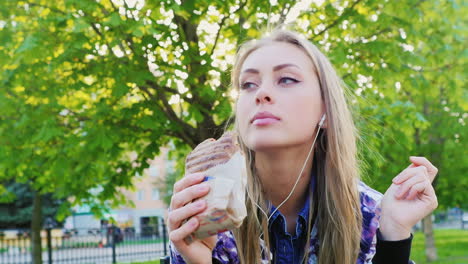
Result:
pixel 279 104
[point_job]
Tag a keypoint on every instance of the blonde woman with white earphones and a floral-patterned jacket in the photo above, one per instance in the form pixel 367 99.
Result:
pixel 305 201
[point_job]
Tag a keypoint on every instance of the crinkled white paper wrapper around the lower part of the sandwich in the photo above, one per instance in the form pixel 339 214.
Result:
pixel 226 199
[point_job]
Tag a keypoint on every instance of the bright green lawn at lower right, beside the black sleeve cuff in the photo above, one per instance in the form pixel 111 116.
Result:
pixel 451 244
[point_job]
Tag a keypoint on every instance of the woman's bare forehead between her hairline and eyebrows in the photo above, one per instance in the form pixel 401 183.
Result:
pixel 277 53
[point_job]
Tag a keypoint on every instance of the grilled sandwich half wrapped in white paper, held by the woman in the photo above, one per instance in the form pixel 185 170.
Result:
pixel 224 167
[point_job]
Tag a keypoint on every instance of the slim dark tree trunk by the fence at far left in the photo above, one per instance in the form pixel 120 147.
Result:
pixel 36 226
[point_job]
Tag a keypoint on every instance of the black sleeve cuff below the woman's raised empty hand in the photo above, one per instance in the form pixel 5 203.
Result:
pixel 392 252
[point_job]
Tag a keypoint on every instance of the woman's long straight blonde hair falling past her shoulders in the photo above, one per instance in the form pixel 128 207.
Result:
pixel 336 202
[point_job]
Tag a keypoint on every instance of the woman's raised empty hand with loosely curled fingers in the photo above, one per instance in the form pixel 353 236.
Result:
pixel 409 199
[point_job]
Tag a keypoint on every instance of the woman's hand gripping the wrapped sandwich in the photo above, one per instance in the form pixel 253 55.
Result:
pixel 186 190
